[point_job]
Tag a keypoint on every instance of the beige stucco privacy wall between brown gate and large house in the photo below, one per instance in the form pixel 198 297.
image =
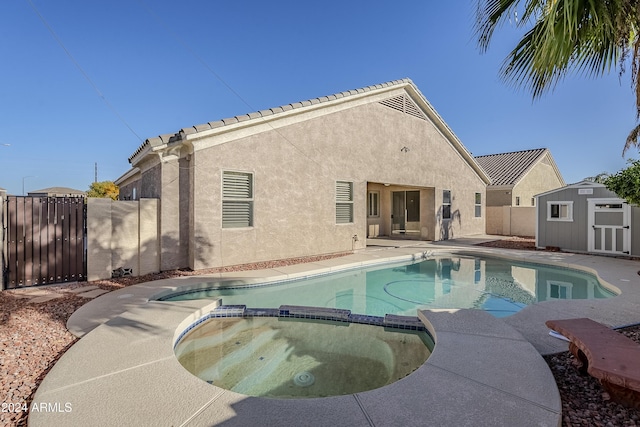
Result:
pixel 122 234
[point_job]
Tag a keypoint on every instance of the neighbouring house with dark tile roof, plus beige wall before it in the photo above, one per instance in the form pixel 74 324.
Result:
pixel 516 178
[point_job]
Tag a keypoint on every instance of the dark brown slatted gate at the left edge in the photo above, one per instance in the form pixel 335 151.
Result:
pixel 45 240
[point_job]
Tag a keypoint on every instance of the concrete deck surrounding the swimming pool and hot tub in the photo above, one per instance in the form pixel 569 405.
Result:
pixel 483 370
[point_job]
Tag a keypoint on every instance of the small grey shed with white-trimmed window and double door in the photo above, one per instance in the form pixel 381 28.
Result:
pixel 587 217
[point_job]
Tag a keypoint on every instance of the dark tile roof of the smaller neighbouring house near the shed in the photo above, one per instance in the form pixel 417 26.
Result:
pixel 507 169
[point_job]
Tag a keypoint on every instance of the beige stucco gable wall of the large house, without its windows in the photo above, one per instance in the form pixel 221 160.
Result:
pixel 295 169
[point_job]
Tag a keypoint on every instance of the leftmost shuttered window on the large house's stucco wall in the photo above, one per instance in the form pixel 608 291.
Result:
pixel 237 199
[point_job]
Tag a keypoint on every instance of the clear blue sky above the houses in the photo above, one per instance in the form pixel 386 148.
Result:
pixel 159 66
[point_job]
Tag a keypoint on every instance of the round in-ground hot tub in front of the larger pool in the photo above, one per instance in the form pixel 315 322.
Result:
pixel 288 357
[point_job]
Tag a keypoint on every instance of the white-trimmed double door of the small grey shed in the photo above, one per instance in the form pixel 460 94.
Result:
pixel 609 226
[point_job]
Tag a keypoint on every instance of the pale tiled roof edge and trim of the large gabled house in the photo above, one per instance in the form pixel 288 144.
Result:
pixel 425 110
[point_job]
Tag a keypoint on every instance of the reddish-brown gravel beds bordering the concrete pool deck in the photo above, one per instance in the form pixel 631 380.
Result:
pixel 33 337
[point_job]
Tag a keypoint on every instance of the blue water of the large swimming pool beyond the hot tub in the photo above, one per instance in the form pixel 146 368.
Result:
pixel 498 286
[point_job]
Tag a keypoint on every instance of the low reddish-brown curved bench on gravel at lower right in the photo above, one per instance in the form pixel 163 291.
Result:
pixel 604 354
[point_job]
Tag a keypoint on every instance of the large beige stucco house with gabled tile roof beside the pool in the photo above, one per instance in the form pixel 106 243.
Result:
pixel 308 178
